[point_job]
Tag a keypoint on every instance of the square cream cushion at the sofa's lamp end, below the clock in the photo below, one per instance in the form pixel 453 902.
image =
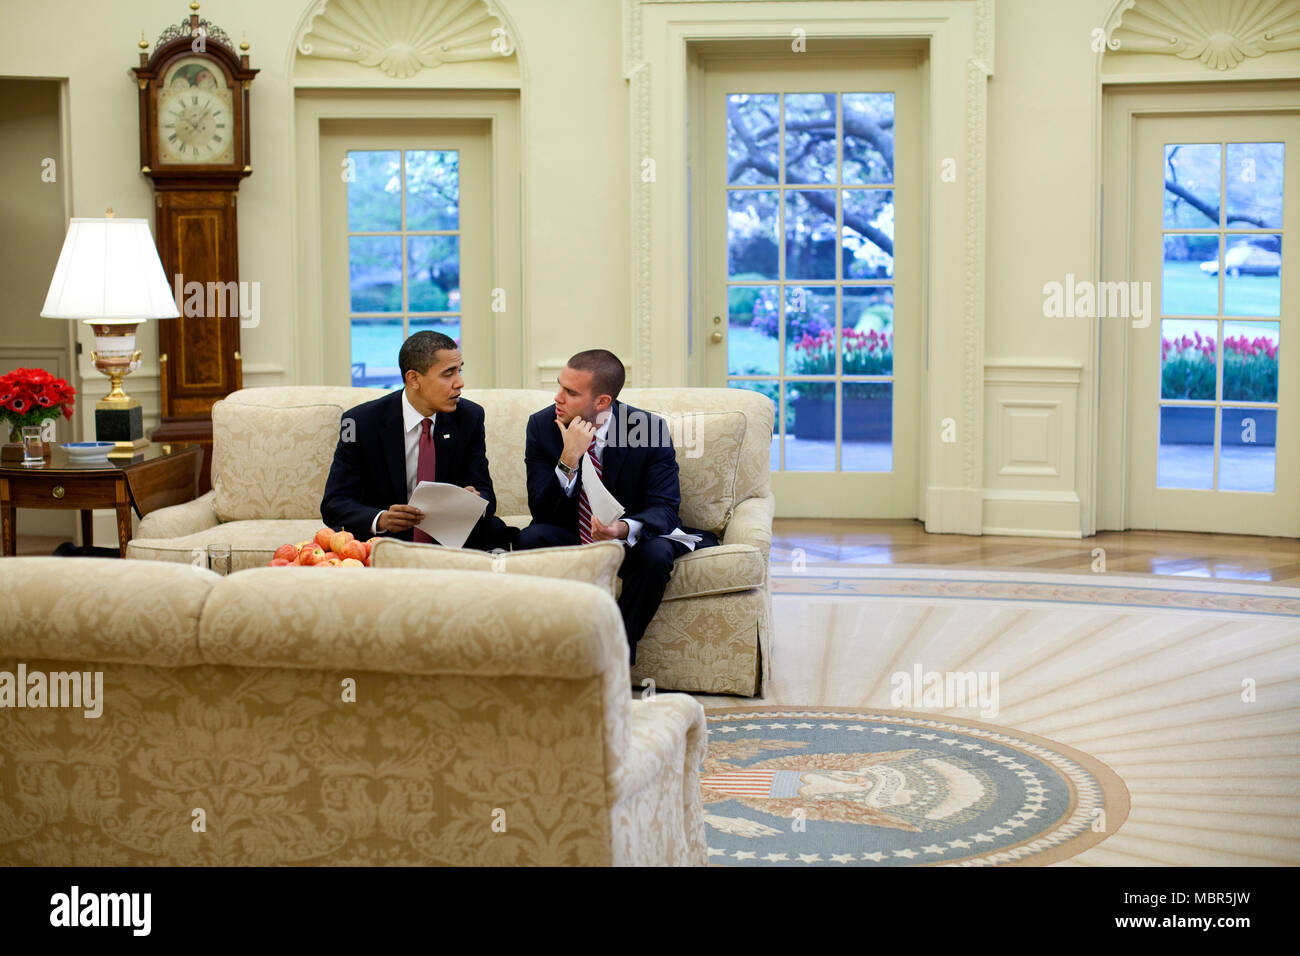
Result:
pixel 271 462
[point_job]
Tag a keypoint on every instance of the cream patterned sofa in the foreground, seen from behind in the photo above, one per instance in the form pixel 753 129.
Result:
pixel 486 725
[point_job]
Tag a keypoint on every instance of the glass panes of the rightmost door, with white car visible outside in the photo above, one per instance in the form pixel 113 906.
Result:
pixel 1223 278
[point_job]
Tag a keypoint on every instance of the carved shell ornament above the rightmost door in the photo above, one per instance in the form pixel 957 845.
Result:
pixel 1219 33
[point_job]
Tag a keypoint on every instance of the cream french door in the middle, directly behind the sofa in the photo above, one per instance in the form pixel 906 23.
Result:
pixel 811 194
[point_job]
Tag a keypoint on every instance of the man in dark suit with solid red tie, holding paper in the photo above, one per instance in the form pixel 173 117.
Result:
pixel 423 431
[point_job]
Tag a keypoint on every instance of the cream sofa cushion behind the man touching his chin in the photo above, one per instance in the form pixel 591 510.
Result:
pixel 708 447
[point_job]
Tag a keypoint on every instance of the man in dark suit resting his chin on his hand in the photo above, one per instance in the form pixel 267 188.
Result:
pixel 632 455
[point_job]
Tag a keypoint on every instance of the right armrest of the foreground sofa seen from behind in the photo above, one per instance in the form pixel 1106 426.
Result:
pixel 666 743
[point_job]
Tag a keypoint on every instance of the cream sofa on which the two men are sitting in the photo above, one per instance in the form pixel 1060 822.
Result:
pixel 274 447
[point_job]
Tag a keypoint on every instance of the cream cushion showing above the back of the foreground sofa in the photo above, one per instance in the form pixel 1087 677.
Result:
pixel 595 564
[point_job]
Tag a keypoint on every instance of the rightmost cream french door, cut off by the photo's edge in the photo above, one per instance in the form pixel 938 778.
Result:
pixel 1214 408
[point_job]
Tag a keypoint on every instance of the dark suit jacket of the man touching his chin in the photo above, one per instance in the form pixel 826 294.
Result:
pixel 638 466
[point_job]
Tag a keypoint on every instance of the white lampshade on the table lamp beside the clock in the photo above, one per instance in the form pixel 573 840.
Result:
pixel 110 272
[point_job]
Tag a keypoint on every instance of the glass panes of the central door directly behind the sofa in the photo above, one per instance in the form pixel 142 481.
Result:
pixel 811 272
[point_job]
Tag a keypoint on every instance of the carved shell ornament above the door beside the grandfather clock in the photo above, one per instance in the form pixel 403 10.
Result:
pixel 405 37
